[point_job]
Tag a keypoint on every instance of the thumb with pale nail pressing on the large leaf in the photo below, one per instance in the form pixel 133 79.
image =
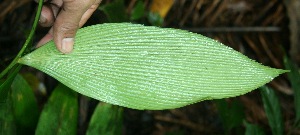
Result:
pixel 67 23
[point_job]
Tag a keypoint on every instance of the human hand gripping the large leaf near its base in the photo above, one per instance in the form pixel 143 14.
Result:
pixel 65 17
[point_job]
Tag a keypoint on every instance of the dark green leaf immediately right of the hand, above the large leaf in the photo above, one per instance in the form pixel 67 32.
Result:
pixel 115 11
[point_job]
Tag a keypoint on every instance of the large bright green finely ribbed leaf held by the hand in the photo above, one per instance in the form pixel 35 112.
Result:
pixel 149 67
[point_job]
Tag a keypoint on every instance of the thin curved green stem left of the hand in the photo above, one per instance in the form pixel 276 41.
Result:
pixel 15 61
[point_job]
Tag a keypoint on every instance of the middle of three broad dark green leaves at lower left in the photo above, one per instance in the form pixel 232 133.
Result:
pixel 60 114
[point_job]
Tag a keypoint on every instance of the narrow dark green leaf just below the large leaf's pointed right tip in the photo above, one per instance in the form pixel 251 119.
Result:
pixel 272 109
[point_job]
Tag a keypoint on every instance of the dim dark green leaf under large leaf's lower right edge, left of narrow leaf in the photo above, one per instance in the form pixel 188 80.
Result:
pixel 232 114
